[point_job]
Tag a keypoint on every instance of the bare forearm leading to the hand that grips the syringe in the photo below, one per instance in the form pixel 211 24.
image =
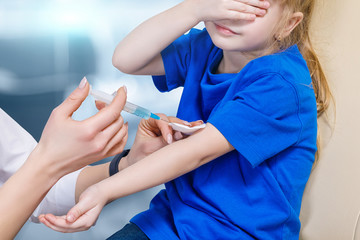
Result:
pixel 21 194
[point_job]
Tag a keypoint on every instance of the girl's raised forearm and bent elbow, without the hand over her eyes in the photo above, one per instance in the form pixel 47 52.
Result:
pixel 139 52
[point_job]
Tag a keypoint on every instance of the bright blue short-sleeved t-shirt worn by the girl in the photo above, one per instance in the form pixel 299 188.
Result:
pixel 267 111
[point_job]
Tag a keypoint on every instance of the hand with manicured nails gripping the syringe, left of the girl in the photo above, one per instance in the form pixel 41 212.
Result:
pixel 68 145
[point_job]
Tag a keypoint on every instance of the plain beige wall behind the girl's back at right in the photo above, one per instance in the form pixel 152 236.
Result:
pixel 332 197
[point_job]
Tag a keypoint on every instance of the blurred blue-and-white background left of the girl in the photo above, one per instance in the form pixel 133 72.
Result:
pixel 46 48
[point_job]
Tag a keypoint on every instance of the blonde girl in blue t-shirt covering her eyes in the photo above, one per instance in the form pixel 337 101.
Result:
pixel 259 86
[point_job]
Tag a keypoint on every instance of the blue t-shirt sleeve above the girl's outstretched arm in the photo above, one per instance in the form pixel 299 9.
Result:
pixel 261 120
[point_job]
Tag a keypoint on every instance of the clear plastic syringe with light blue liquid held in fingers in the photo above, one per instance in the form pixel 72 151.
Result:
pixel 129 107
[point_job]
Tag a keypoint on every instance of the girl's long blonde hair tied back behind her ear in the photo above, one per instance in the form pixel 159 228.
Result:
pixel 301 36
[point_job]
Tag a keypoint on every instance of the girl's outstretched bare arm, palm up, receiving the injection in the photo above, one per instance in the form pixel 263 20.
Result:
pixel 162 166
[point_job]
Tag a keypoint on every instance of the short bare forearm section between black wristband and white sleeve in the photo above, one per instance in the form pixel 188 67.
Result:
pixel 89 176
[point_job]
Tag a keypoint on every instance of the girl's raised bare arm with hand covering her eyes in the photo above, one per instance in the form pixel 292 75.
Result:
pixel 139 52
